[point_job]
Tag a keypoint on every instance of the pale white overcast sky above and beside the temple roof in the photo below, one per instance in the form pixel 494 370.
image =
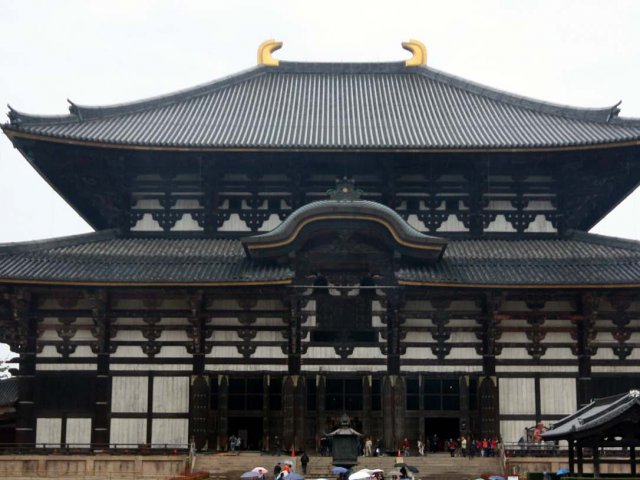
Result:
pixel 581 53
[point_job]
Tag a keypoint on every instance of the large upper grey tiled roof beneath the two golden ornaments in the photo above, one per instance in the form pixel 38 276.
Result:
pixel 336 106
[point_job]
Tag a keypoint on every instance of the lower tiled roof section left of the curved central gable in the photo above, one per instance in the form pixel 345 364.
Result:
pixel 105 258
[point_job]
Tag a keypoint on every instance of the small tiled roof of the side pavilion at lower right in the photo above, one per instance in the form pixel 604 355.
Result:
pixel 599 412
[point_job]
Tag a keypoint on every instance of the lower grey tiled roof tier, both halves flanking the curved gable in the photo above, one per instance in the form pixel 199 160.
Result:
pixel 578 260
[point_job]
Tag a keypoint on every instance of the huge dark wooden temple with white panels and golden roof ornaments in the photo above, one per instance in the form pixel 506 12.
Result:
pixel 301 240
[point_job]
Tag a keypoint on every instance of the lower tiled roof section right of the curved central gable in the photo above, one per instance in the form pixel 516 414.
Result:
pixel 575 260
